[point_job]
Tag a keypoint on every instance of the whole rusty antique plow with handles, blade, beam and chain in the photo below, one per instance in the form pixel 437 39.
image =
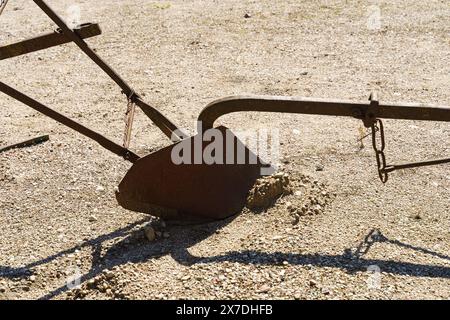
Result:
pixel 203 191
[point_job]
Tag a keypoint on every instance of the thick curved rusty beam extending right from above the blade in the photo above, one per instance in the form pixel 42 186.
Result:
pixel 358 110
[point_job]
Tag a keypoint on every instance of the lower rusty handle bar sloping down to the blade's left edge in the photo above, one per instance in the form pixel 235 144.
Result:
pixel 103 141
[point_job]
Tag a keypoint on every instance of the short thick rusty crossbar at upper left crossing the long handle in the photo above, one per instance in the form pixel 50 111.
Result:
pixel 42 42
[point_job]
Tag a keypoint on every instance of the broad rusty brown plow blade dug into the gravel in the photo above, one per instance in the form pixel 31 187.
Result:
pixel 190 192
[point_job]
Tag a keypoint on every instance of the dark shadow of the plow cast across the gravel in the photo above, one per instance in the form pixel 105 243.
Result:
pixel 134 251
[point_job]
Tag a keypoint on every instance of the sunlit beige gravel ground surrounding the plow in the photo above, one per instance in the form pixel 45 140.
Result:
pixel 57 208
